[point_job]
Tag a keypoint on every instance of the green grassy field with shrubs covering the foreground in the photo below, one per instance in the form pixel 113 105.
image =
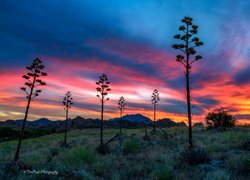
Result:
pixel 158 158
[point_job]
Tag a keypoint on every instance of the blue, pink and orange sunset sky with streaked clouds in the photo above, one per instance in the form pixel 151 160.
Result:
pixel 130 41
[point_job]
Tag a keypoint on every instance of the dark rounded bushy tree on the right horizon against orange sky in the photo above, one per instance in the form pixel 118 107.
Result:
pixel 220 119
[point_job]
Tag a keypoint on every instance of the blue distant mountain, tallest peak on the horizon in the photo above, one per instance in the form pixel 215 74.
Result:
pixel 133 118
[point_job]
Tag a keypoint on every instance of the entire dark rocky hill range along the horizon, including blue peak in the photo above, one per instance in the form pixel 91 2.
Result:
pixel 128 121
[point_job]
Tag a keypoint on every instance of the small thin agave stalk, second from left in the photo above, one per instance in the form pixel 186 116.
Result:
pixel 67 102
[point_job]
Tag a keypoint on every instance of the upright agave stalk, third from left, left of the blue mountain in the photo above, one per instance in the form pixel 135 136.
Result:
pixel 103 89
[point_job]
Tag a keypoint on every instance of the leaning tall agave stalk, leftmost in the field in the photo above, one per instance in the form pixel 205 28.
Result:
pixel 32 82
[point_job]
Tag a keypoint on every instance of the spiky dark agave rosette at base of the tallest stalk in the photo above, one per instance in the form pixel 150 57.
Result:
pixel 194 156
